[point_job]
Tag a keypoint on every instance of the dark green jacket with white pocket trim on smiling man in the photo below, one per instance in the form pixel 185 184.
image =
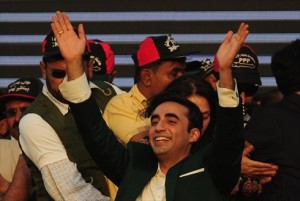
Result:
pixel 132 168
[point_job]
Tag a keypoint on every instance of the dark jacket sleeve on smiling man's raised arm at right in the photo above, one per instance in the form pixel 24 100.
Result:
pixel 228 144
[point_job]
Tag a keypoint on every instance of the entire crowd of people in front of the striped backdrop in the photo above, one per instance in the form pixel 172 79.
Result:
pixel 186 130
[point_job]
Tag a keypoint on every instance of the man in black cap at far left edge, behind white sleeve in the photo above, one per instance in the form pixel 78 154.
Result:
pixel 15 177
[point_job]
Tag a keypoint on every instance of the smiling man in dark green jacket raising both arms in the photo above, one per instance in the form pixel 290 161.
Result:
pixel 166 170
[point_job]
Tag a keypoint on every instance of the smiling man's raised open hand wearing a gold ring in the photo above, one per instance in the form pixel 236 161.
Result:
pixel 71 45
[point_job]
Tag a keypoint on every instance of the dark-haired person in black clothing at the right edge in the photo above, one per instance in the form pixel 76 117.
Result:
pixel 274 129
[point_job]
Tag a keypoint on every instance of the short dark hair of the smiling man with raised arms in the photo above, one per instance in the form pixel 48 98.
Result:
pixel 194 114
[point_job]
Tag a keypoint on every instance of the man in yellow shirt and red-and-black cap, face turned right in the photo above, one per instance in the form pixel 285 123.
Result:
pixel 158 61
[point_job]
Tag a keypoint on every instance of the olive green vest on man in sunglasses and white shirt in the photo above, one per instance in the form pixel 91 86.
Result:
pixel 68 133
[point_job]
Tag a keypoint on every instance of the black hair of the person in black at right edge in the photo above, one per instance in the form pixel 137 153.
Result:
pixel 285 67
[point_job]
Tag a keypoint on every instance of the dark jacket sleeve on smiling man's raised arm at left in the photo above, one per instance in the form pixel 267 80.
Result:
pixel 109 154
